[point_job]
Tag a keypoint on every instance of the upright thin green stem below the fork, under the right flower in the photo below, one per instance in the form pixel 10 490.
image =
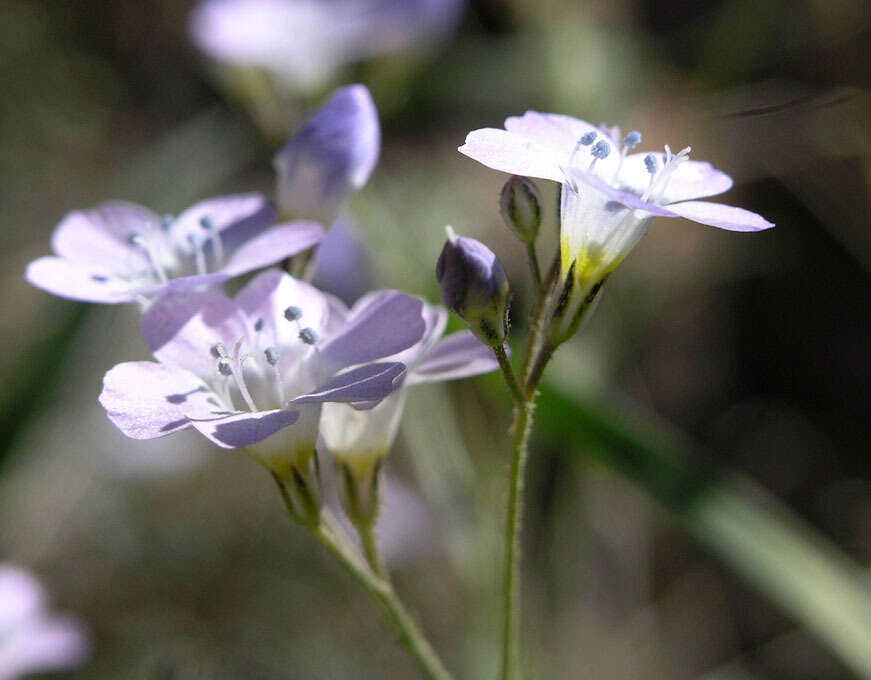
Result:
pixel 521 427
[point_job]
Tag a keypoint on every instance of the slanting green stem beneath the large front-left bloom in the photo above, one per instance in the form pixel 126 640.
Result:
pixel 409 633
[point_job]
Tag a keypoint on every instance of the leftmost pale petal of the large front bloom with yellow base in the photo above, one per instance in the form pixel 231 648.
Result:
pixel 146 400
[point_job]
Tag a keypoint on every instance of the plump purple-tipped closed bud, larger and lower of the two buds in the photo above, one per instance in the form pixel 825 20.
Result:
pixel 475 287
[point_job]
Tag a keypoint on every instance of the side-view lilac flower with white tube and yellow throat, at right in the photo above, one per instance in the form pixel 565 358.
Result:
pixel 609 196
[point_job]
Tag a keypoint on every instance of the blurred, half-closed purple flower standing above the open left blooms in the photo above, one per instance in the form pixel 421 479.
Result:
pixel 330 157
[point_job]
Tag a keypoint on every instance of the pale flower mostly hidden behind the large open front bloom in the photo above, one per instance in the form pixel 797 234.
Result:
pixel 360 439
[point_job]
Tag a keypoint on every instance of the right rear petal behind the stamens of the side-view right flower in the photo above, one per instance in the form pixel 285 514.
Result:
pixel 691 179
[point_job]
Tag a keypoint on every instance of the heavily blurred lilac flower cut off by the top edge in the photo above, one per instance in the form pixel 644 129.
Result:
pixel 304 42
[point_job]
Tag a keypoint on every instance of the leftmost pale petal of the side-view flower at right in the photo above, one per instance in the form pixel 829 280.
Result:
pixel 514 154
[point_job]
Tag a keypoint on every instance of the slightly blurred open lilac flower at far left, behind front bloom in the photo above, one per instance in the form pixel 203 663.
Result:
pixel 121 252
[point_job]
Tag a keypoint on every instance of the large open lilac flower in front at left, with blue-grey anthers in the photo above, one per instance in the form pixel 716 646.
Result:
pixel 254 372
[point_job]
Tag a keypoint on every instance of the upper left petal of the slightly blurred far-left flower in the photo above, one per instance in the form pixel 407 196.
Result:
pixel 101 236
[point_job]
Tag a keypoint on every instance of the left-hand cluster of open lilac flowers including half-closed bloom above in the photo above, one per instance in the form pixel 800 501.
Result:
pixel 282 368
